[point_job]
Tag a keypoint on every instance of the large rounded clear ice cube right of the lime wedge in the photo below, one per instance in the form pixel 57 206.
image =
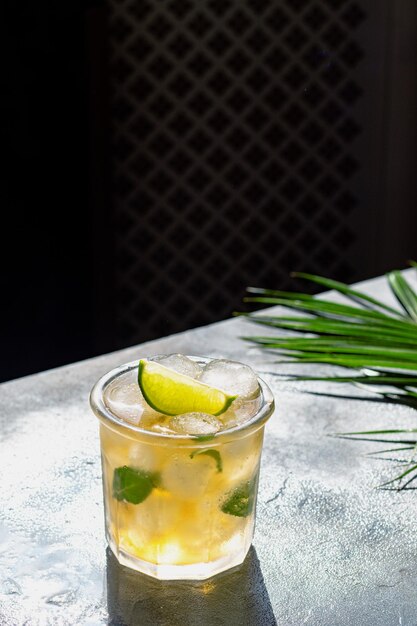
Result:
pixel 231 376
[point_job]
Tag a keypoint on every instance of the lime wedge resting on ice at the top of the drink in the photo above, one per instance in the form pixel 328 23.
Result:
pixel 172 393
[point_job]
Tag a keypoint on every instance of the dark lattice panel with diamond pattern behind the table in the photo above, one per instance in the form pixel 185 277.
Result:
pixel 234 126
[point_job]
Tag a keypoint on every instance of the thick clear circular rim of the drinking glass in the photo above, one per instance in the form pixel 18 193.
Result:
pixel 106 416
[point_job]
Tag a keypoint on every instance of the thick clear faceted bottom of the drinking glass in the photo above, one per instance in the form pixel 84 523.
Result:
pixel 194 571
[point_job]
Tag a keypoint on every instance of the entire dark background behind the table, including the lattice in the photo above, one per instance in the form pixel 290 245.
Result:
pixel 158 157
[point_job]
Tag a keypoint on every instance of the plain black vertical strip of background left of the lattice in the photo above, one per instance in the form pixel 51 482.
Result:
pixel 46 223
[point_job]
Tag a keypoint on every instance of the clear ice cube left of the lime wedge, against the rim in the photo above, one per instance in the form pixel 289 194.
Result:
pixel 124 399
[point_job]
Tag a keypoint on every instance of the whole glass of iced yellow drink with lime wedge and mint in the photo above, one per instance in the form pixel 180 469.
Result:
pixel 181 441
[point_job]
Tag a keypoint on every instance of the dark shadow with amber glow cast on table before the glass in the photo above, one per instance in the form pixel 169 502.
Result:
pixel 237 597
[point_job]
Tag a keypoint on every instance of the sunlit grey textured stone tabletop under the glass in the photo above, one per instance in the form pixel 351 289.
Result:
pixel 329 549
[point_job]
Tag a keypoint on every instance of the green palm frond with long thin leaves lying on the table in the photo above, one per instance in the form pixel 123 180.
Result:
pixel 376 342
